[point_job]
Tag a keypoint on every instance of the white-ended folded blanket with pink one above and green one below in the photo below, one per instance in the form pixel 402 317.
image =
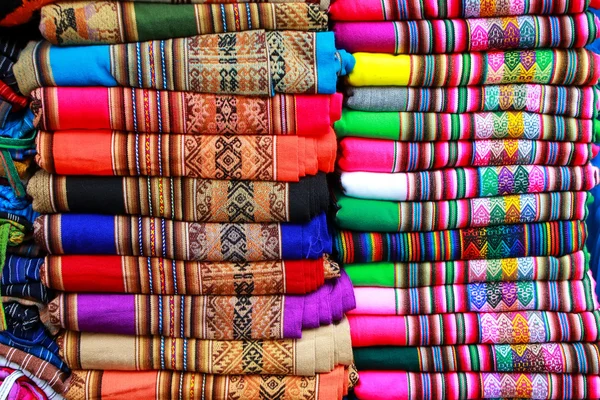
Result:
pixel 466 183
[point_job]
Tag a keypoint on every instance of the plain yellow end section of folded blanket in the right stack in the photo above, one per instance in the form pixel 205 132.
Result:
pixel 374 69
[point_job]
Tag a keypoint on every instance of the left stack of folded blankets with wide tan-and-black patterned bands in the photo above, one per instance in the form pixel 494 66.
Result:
pixel 183 153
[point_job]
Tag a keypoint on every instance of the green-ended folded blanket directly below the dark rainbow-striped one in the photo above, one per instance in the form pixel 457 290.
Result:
pixel 408 275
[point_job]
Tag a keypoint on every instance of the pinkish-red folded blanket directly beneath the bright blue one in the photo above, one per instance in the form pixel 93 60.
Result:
pixel 143 110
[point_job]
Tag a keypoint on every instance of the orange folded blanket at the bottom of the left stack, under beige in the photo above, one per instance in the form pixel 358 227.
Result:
pixel 158 385
